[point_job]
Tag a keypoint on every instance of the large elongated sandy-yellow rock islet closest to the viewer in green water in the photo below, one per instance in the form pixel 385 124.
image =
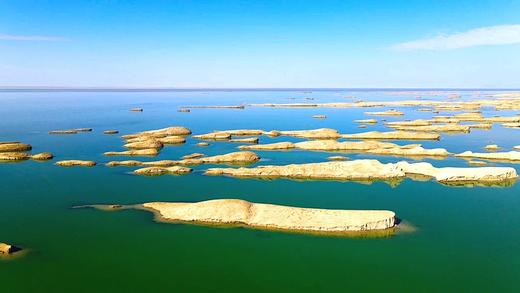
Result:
pixel 272 217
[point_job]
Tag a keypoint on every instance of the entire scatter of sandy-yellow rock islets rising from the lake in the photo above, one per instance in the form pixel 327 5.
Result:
pixel 310 220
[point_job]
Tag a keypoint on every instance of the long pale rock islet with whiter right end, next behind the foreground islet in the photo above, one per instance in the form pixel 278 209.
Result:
pixel 373 170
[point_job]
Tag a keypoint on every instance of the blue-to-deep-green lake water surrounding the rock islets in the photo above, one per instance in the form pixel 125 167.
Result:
pixel 466 239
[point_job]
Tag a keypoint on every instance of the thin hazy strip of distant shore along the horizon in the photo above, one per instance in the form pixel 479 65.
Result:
pixel 108 89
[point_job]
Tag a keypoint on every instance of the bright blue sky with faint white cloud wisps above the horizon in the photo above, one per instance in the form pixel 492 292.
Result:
pixel 226 43
